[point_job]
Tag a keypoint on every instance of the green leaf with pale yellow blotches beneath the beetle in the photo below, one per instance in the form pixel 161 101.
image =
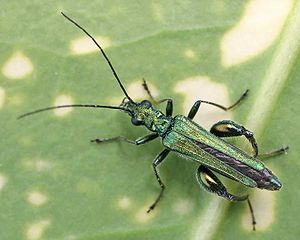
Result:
pixel 55 184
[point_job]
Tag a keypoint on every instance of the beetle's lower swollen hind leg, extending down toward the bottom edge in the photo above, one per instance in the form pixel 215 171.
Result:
pixel 211 183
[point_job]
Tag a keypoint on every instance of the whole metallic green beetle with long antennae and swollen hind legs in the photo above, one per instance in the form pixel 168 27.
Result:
pixel 190 141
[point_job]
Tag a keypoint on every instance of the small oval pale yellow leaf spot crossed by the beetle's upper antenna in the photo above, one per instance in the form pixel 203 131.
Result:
pixel 85 45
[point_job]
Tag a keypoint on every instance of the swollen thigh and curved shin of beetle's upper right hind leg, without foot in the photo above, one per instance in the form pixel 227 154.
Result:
pixel 228 128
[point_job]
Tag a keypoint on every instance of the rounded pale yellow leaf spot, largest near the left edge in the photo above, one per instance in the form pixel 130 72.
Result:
pixel 17 66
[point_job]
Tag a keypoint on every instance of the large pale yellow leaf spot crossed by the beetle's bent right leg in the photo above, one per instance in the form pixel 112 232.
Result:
pixel 202 88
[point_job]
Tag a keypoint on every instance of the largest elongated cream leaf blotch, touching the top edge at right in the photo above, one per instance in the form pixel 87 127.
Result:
pixel 259 27
